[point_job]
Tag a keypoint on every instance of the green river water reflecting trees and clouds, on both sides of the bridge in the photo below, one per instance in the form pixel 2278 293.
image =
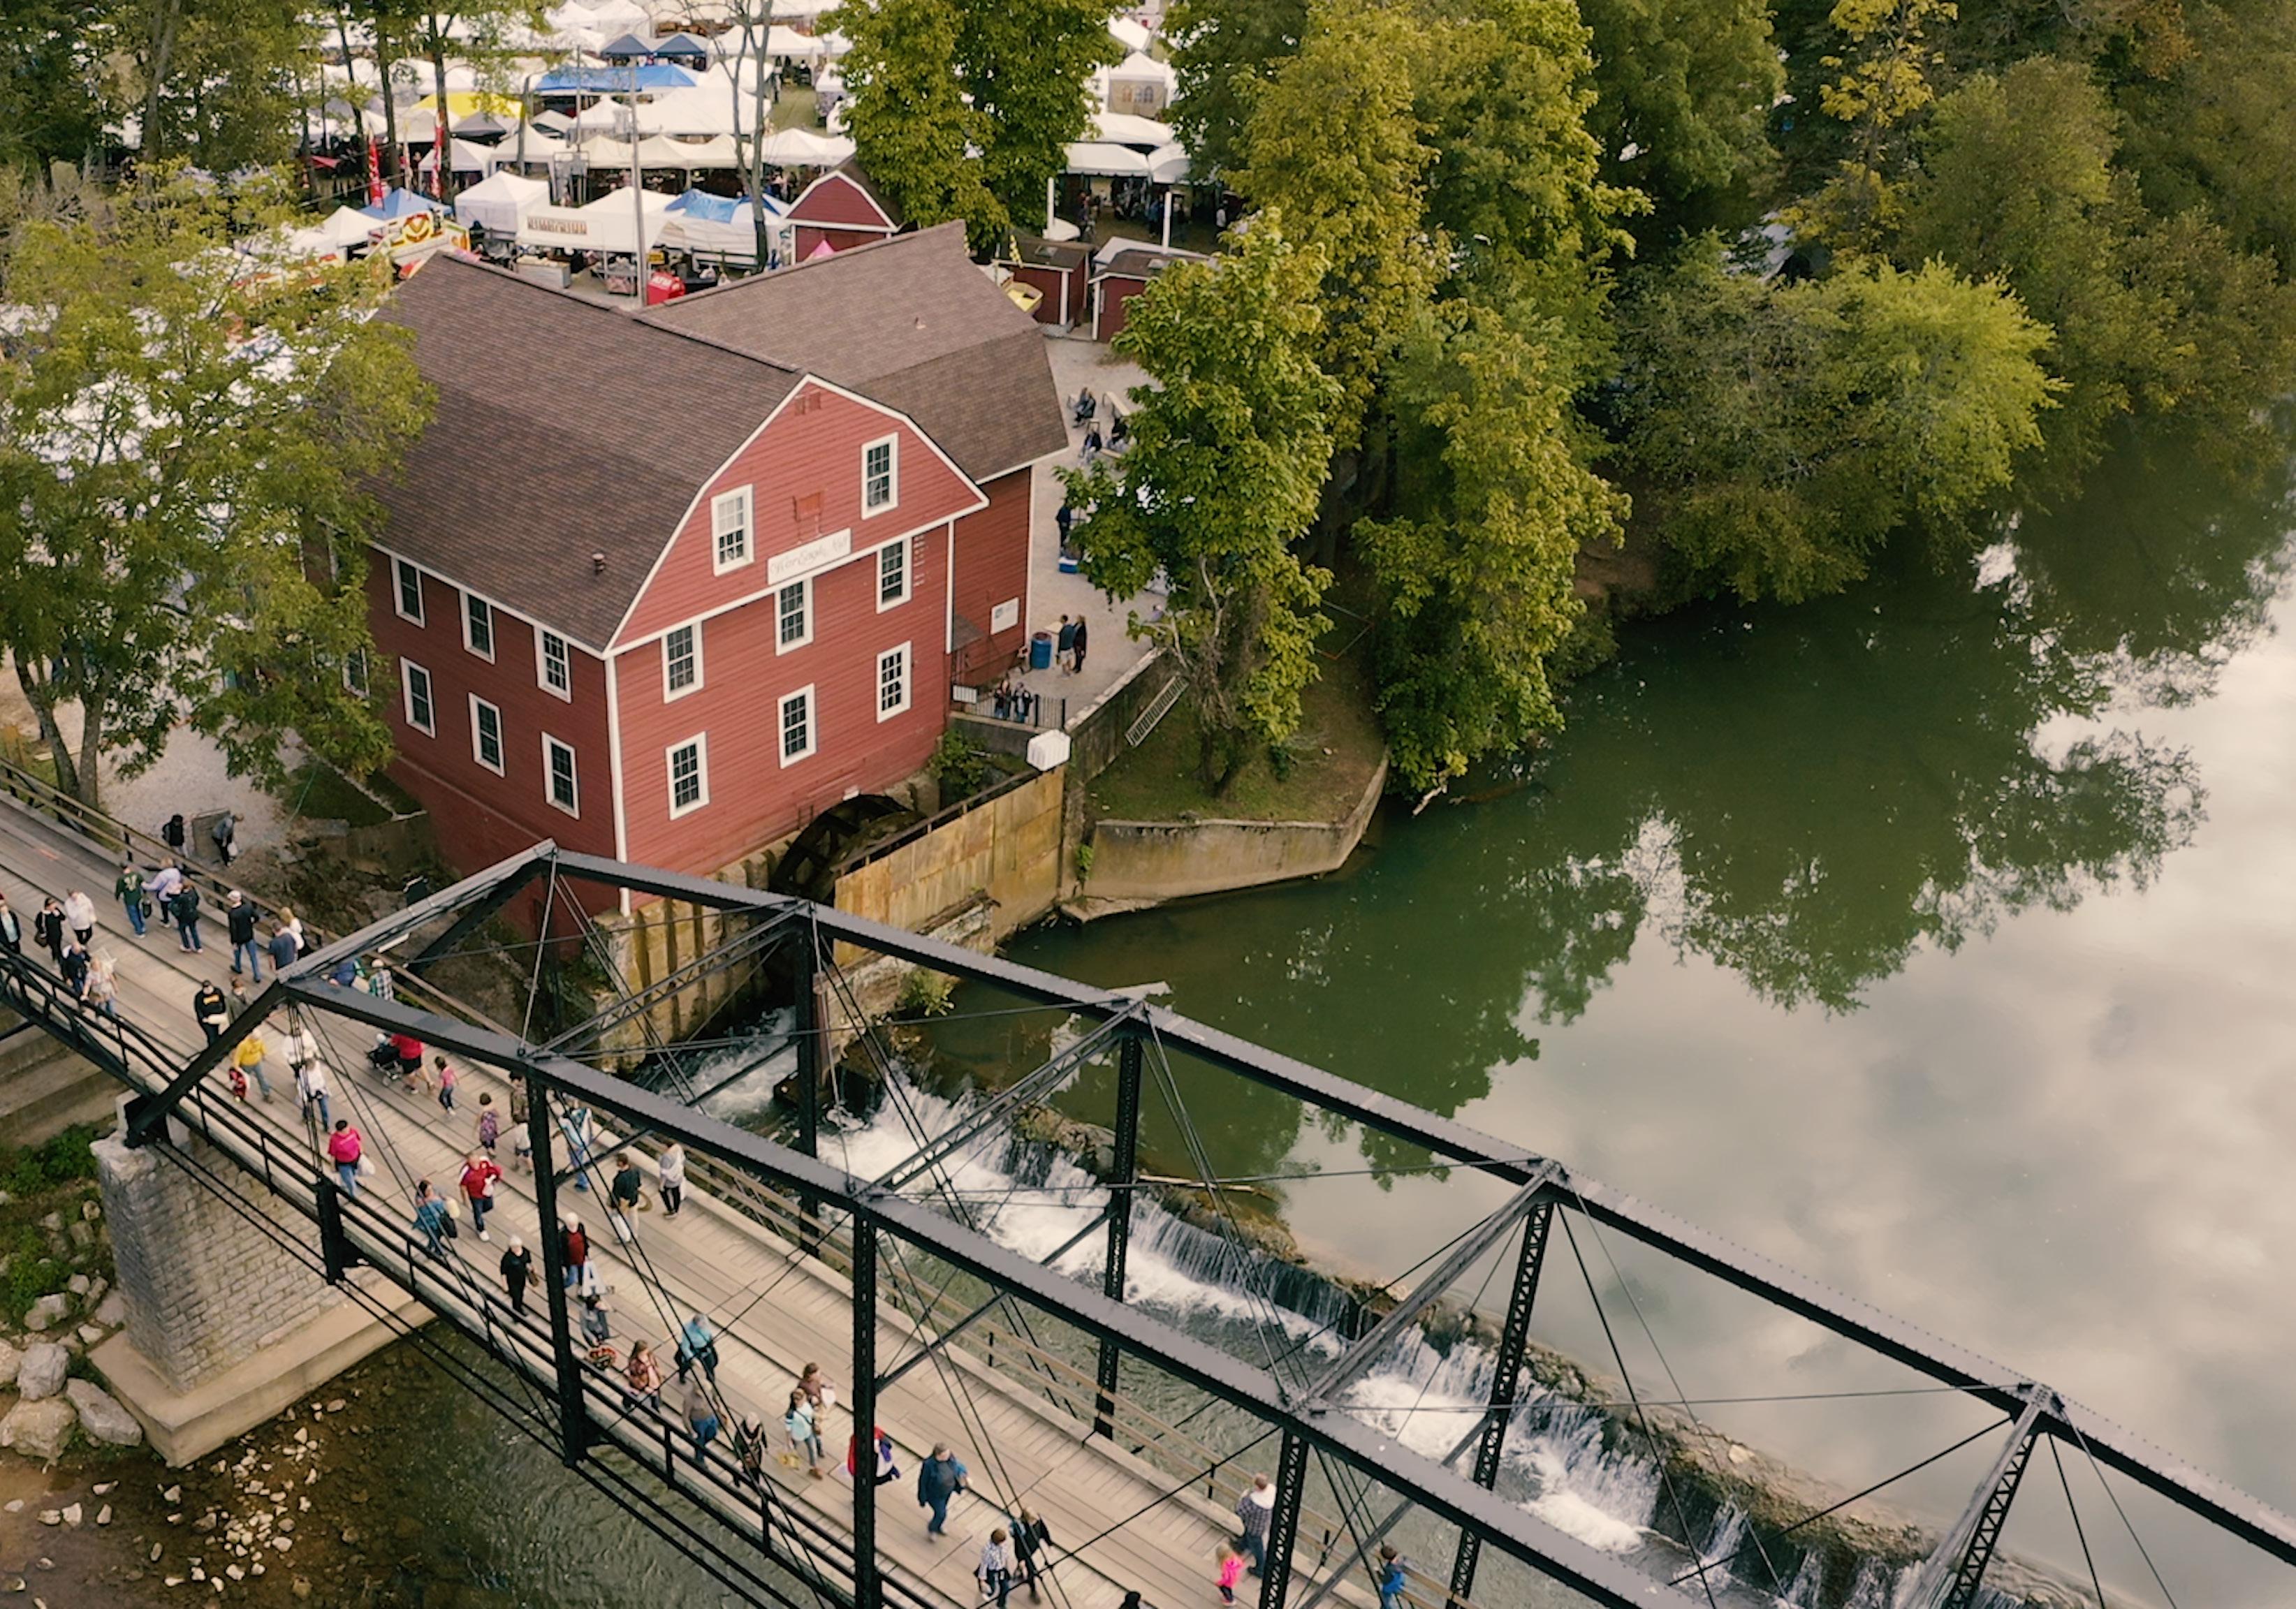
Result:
pixel 1932 940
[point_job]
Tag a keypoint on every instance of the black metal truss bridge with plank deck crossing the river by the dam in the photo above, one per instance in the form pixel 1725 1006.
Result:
pixel 943 1332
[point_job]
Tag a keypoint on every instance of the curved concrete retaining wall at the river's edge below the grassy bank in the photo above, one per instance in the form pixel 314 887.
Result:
pixel 1174 860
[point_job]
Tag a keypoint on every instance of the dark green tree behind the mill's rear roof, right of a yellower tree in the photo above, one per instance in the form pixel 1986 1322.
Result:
pixel 1025 65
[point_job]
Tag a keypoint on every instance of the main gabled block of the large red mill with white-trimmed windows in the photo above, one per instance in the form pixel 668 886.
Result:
pixel 653 596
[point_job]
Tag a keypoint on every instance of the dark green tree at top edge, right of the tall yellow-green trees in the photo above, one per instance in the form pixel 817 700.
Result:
pixel 1689 84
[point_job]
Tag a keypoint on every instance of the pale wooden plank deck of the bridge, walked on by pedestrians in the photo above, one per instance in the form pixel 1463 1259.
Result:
pixel 717 1261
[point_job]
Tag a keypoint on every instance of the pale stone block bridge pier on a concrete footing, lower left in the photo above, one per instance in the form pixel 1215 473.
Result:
pixel 226 1326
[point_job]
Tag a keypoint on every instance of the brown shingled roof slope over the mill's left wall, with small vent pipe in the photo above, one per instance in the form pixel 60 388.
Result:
pixel 564 430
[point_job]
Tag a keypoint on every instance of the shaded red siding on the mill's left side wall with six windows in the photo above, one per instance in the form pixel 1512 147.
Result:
pixel 479 816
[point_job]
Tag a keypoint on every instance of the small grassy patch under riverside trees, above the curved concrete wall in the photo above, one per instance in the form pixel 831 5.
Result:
pixel 1333 761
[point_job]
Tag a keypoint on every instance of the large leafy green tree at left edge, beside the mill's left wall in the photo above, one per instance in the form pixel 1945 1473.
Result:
pixel 185 451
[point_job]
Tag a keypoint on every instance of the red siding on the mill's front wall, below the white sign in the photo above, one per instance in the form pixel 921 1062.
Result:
pixel 754 798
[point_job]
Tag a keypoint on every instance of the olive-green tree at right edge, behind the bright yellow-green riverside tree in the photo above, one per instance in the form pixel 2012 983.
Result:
pixel 2150 316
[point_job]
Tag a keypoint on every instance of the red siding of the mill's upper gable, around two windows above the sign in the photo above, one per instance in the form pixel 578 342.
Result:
pixel 809 451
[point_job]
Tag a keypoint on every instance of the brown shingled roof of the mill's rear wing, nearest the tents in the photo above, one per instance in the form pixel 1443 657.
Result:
pixel 913 325
